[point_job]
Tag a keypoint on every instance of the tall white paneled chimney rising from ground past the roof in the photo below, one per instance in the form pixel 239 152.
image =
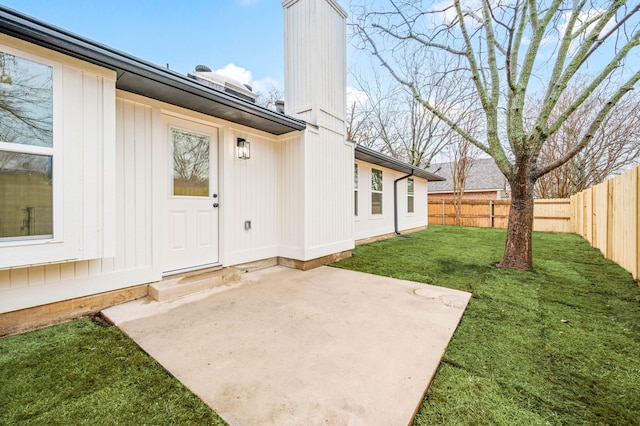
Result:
pixel 322 165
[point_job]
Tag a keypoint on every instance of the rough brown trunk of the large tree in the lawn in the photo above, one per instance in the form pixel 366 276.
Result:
pixel 518 253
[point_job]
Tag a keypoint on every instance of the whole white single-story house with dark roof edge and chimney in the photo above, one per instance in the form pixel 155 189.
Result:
pixel 115 172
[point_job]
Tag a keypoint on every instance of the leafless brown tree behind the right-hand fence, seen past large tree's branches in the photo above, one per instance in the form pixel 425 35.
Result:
pixel 614 148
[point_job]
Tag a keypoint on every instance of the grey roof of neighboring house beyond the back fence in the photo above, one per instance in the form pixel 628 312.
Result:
pixel 484 175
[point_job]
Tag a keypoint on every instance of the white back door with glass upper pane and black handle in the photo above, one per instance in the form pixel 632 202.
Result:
pixel 191 220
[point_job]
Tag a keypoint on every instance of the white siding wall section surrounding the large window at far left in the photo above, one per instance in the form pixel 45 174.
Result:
pixel 84 187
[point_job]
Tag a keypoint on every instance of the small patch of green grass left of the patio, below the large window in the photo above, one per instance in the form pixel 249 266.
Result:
pixel 86 372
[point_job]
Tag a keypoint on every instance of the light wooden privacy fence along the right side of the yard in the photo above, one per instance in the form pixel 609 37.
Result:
pixel 607 215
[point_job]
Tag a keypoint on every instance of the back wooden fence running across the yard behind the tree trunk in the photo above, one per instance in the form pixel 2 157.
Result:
pixel 552 215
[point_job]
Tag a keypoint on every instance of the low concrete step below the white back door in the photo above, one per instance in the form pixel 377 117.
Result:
pixel 174 287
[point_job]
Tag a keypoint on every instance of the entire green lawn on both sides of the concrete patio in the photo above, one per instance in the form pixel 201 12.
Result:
pixel 560 345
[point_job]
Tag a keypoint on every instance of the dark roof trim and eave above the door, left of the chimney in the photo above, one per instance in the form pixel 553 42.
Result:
pixel 144 78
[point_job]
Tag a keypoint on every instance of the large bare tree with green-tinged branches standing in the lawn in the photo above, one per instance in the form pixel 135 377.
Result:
pixel 510 50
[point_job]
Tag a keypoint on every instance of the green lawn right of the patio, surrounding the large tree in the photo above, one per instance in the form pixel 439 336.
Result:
pixel 560 345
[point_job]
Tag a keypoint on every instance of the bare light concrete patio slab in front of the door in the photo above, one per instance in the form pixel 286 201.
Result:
pixel 286 347
